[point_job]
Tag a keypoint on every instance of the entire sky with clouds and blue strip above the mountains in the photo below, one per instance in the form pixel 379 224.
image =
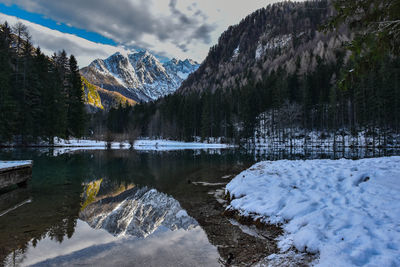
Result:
pixel 92 29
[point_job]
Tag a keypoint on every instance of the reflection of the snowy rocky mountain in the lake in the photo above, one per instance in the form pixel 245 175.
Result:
pixel 137 212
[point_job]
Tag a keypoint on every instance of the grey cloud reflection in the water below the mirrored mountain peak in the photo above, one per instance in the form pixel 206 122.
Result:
pixel 172 248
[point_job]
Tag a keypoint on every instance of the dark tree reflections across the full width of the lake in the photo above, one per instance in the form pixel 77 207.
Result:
pixel 57 186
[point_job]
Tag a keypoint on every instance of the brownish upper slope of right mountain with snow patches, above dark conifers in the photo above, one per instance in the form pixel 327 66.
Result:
pixel 284 36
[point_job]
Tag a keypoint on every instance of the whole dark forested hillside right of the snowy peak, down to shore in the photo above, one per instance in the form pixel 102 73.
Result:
pixel 281 69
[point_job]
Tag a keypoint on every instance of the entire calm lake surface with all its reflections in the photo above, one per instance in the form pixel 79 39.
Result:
pixel 120 207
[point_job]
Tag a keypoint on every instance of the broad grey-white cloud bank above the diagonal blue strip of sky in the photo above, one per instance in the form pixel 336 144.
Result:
pixel 179 28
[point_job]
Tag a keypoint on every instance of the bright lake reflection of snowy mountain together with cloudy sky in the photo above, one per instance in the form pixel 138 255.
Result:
pixel 110 232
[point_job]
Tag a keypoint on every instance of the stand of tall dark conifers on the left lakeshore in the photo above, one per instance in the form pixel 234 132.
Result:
pixel 40 97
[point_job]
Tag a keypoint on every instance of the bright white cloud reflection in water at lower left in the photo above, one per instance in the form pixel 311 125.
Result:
pixel 48 248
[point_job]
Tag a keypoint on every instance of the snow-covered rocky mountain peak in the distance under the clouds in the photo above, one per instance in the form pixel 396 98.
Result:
pixel 139 76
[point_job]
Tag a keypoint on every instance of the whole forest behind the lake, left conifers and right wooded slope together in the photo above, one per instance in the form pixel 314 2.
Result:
pixel 283 72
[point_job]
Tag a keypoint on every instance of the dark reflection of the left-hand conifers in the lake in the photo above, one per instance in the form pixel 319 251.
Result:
pixel 55 191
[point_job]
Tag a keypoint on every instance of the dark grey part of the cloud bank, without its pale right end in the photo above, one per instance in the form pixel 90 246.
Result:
pixel 126 21
